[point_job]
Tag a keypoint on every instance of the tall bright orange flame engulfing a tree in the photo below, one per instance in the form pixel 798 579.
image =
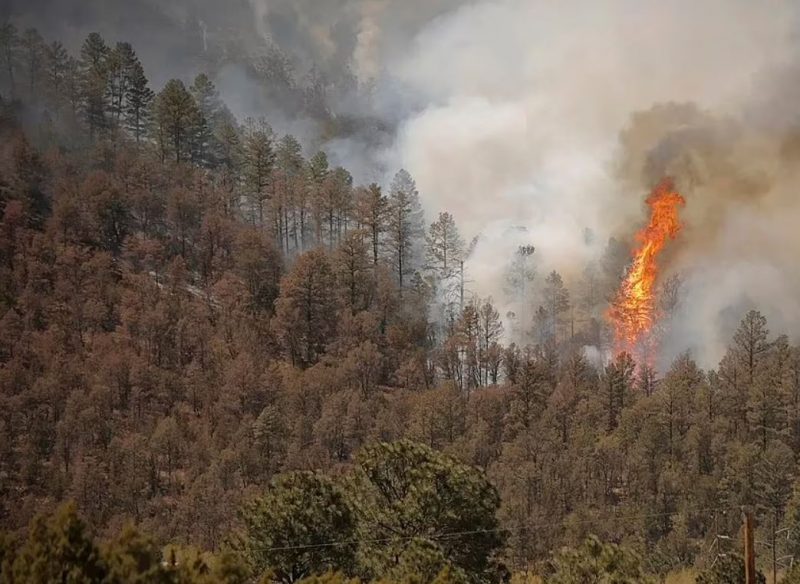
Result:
pixel 634 311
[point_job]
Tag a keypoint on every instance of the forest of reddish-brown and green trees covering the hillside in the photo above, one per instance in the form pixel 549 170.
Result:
pixel 221 360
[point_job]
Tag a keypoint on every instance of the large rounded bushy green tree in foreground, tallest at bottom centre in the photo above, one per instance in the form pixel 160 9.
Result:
pixel 408 493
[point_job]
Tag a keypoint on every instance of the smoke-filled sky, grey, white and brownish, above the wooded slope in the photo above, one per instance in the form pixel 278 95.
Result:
pixel 532 121
